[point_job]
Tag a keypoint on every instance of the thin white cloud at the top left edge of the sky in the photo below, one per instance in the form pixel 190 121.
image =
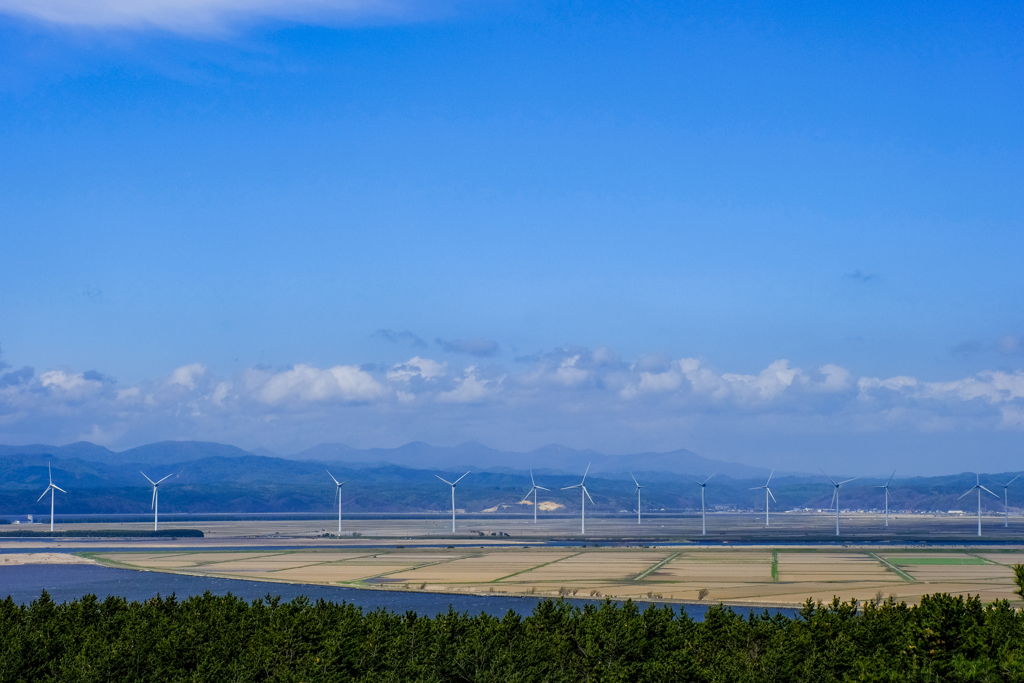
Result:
pixel 207 16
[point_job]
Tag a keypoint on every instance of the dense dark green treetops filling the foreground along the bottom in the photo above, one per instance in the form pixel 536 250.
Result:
pixel 220 639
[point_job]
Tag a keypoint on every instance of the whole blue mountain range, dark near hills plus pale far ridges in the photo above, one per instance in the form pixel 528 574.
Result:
pixel 217 478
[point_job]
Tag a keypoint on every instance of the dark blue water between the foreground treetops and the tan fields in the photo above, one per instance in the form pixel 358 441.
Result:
pixel 68 582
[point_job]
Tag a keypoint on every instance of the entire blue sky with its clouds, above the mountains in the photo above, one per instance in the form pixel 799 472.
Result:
pixel 248 195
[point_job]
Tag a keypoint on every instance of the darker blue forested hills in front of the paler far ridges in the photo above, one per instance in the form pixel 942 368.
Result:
pixel 244 483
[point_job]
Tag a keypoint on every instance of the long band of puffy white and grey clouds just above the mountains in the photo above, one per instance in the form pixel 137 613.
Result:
pixel 583 392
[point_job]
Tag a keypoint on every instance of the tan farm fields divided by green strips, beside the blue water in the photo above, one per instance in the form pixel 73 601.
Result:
pixel 747 576
